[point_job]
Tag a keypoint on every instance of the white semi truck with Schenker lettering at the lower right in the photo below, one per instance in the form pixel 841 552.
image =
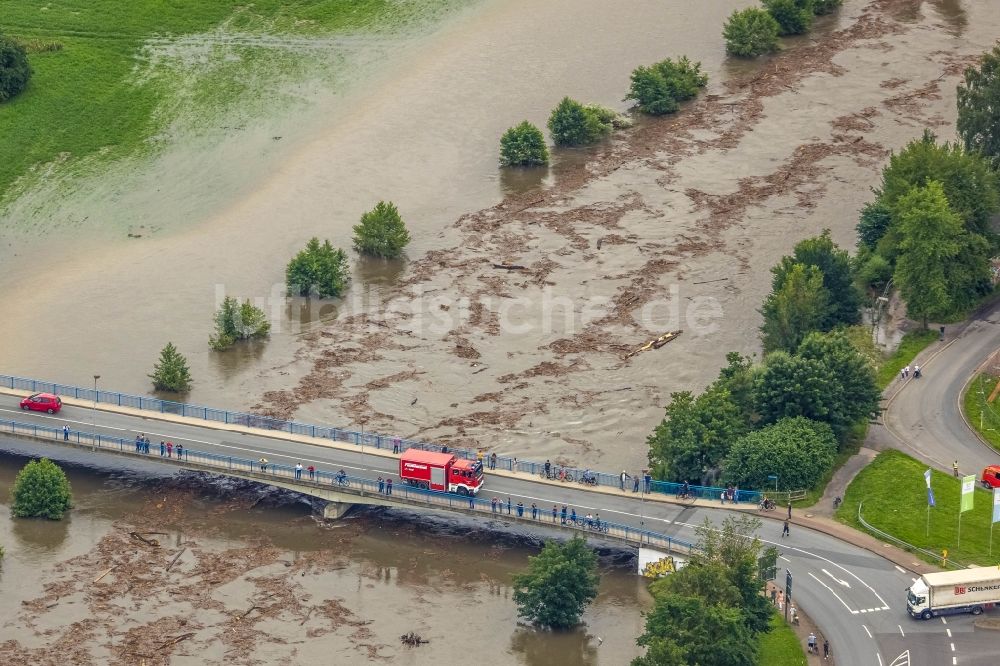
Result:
pixel 951 592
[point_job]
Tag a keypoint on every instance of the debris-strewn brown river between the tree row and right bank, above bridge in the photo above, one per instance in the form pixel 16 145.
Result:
pixel 673 225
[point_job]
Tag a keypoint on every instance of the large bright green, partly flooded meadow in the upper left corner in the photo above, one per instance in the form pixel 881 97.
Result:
pixel 103 69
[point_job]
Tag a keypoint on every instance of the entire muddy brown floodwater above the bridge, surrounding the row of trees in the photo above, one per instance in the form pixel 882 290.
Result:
pixel 672 224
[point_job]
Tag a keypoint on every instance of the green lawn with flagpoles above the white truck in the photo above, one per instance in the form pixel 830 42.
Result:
pixel 895 501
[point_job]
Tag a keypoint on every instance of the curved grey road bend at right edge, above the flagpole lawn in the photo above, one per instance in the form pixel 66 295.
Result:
pixel 923 416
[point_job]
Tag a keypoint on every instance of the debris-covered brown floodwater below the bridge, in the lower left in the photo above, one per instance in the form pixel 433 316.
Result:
pixel 259 581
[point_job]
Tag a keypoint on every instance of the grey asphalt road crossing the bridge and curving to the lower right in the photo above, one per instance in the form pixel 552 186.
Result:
pixel 854 595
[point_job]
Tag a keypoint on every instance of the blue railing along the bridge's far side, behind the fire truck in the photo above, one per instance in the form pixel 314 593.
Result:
pixel 358 438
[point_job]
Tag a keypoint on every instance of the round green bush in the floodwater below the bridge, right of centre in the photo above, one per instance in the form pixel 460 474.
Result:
pixel 559 584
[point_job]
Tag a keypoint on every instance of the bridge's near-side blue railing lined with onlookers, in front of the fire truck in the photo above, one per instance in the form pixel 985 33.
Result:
pixel 362 486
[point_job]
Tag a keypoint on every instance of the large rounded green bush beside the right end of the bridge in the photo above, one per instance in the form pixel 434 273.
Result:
pixel 798 450
